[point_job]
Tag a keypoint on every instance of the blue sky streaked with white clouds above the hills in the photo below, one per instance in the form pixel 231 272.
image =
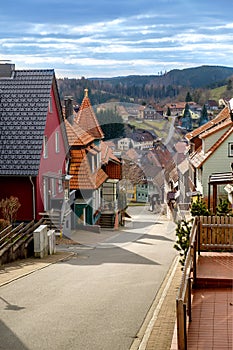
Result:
pixel 106 38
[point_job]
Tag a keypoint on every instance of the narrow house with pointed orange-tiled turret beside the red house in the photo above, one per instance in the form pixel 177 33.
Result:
pixel 91 167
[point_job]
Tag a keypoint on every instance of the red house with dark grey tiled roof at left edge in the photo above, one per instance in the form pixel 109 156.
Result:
pixel 33 142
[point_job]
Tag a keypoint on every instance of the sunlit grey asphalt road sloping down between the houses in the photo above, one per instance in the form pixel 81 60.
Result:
pixel 98 299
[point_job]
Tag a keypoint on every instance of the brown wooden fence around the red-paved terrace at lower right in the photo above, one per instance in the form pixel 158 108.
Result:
pixel 208 233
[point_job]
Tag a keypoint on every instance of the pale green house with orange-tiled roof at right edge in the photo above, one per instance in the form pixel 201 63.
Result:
pixel 211 151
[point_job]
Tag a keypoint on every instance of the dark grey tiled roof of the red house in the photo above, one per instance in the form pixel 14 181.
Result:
pixel 24 99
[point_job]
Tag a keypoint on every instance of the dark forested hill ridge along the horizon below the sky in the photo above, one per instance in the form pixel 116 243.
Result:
pixel 145 87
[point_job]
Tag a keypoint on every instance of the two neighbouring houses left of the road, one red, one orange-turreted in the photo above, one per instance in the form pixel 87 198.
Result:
pixel 55 163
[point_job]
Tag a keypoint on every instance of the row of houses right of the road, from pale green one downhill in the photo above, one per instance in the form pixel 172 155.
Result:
pixel 200 163
